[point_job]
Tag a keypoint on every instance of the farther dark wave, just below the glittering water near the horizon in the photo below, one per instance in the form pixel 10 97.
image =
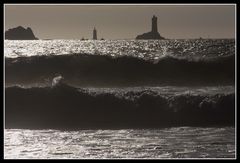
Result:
pixel 97 70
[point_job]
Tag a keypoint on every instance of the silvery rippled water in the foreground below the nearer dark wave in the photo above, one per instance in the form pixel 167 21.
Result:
pixel 180 142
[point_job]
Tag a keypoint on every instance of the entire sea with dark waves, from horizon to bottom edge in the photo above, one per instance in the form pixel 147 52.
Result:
pixel 120 99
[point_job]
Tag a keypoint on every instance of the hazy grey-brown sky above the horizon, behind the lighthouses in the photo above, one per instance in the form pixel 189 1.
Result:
pixel 120 22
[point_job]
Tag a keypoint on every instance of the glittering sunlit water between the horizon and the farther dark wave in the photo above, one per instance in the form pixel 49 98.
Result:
pixel 145 49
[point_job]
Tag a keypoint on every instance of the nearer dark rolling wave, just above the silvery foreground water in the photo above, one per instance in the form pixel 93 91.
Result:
pixel 65 107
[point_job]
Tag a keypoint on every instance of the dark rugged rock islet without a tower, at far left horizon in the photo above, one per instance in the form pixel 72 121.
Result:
pixel 20 33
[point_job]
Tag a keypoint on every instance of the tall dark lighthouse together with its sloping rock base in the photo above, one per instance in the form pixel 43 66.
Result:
pixel 154 34
